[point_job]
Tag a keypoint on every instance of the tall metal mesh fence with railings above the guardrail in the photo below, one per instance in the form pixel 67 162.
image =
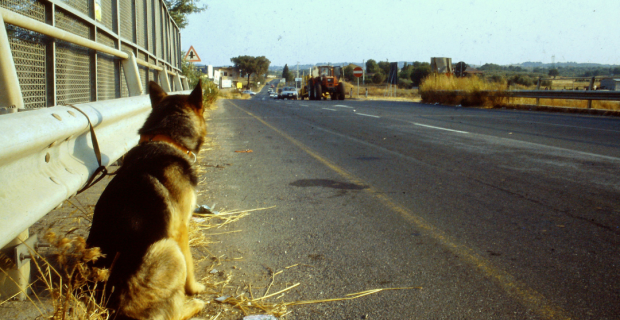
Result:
pixel 56 72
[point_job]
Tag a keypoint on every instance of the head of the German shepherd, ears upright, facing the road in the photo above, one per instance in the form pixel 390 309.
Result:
pixel 180 117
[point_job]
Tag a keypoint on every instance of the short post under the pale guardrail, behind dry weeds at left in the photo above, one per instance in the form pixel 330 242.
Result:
pixel 17 278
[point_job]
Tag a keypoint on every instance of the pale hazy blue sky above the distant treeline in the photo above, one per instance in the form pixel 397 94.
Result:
pixel 474 31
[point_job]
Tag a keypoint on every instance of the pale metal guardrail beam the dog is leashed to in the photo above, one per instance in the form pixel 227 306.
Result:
pixel 46 155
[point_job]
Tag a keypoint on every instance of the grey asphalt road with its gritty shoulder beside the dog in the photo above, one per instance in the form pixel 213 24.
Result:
pixel 495 214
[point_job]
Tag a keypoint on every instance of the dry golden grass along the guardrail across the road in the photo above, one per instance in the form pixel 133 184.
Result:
pixel 442 89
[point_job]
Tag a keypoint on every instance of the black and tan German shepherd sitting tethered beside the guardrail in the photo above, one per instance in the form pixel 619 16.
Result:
pixel 141 220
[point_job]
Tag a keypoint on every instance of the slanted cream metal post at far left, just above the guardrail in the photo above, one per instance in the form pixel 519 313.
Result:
pixel 11 93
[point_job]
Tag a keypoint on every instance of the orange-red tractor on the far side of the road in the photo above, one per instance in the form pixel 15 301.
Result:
pixel 321 83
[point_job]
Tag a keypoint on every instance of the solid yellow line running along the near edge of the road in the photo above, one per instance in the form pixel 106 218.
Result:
pixel 530 298
